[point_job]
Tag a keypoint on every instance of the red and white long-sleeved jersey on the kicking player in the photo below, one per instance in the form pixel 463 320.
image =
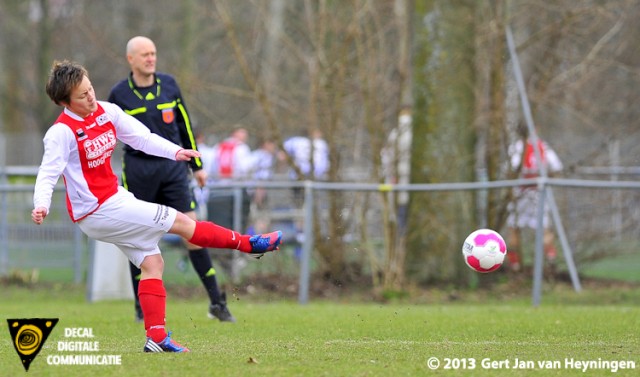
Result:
pixel 80 150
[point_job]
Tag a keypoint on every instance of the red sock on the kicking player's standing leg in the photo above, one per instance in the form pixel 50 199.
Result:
pixel 153 301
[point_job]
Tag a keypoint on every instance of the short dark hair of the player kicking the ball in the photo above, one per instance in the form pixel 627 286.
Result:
pixel 64 76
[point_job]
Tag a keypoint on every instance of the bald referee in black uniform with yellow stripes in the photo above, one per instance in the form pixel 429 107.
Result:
pixel 154 99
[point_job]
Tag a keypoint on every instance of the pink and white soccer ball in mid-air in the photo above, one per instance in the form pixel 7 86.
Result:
pixel 484 250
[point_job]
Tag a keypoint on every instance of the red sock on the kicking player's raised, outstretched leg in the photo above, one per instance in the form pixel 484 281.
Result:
pixel 208 234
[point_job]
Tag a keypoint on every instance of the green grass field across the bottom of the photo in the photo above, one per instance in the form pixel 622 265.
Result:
pixel 282 338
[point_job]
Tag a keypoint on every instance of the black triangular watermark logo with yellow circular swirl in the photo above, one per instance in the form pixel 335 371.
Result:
pixel 28 336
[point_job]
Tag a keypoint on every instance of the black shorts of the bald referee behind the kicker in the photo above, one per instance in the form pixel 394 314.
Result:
pixel 158 180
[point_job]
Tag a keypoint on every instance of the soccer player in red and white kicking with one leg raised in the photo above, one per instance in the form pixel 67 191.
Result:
pixel 79 147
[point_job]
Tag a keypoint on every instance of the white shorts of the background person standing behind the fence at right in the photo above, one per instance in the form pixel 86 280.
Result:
pixel 523 212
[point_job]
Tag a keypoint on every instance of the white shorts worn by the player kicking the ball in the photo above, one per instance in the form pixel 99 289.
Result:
pixel 133 225
